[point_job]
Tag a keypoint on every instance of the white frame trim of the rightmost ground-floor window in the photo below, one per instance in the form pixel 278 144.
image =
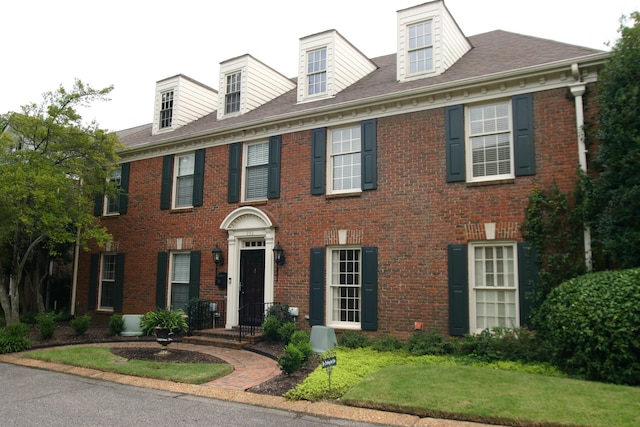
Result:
pixel 472 288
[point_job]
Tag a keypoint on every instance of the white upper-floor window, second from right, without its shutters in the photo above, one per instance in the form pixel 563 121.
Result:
pixel 345 159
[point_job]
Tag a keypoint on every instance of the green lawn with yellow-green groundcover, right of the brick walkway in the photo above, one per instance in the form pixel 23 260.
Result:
pixel 508 393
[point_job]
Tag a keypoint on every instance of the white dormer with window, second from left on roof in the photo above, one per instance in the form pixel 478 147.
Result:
pixel 246 84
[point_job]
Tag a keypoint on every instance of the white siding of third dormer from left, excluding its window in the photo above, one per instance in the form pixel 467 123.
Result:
pixel 345 64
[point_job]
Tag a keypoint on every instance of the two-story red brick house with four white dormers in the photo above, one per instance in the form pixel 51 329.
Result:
pixel 396 185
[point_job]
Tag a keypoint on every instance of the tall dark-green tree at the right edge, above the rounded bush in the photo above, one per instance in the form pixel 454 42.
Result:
pixel 616 191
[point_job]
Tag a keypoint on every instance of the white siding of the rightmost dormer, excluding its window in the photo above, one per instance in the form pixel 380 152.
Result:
pixel 449 43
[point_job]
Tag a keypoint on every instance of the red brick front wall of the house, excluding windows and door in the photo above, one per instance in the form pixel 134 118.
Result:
pixel 412 216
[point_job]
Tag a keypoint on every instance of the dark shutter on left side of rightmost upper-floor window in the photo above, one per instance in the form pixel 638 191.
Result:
pixel 454 137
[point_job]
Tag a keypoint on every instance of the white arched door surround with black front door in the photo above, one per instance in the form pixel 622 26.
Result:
pixel 250 260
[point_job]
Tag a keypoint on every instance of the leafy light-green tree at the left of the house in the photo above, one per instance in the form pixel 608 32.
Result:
pixel 52 165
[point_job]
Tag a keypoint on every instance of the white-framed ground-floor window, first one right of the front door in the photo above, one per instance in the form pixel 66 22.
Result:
pixel 345 278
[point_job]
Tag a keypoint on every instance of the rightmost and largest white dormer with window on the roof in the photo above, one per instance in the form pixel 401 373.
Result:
pixel 429 41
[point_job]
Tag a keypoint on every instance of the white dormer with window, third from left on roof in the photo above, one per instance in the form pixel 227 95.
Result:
pixel 327 64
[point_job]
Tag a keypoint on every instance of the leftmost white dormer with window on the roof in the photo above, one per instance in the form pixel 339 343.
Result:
pixel 180 100
